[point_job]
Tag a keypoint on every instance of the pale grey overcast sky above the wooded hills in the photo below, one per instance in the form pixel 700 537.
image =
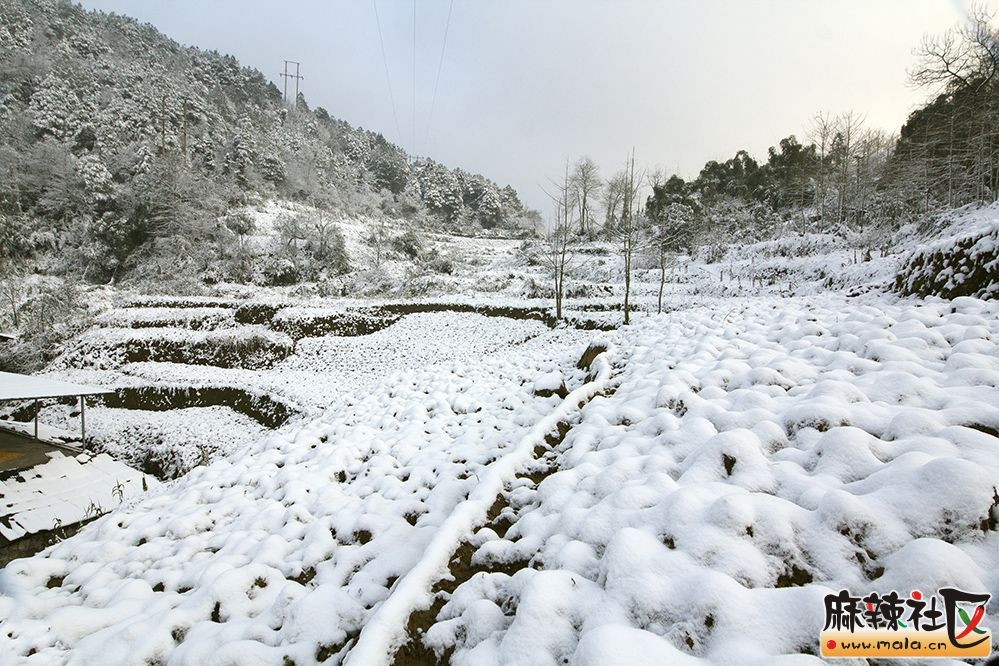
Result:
pixel 528 83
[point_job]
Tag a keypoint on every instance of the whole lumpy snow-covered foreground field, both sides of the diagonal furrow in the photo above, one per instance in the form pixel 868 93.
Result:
pixel 748 457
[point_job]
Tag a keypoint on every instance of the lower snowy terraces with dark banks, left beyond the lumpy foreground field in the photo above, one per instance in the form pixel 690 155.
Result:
pixel 315 374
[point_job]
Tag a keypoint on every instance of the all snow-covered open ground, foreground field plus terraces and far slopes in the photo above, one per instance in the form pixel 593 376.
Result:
pixel 786 429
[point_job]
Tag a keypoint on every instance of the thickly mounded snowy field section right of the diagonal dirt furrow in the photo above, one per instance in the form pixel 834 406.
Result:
pixel 752 459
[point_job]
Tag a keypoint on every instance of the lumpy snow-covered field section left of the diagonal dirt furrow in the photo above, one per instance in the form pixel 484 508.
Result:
pixel 284 548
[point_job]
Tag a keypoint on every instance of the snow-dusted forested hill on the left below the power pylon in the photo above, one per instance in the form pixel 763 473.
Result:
pixel 120 147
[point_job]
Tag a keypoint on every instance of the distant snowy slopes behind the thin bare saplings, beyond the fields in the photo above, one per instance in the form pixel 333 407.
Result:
pixel 509 268
